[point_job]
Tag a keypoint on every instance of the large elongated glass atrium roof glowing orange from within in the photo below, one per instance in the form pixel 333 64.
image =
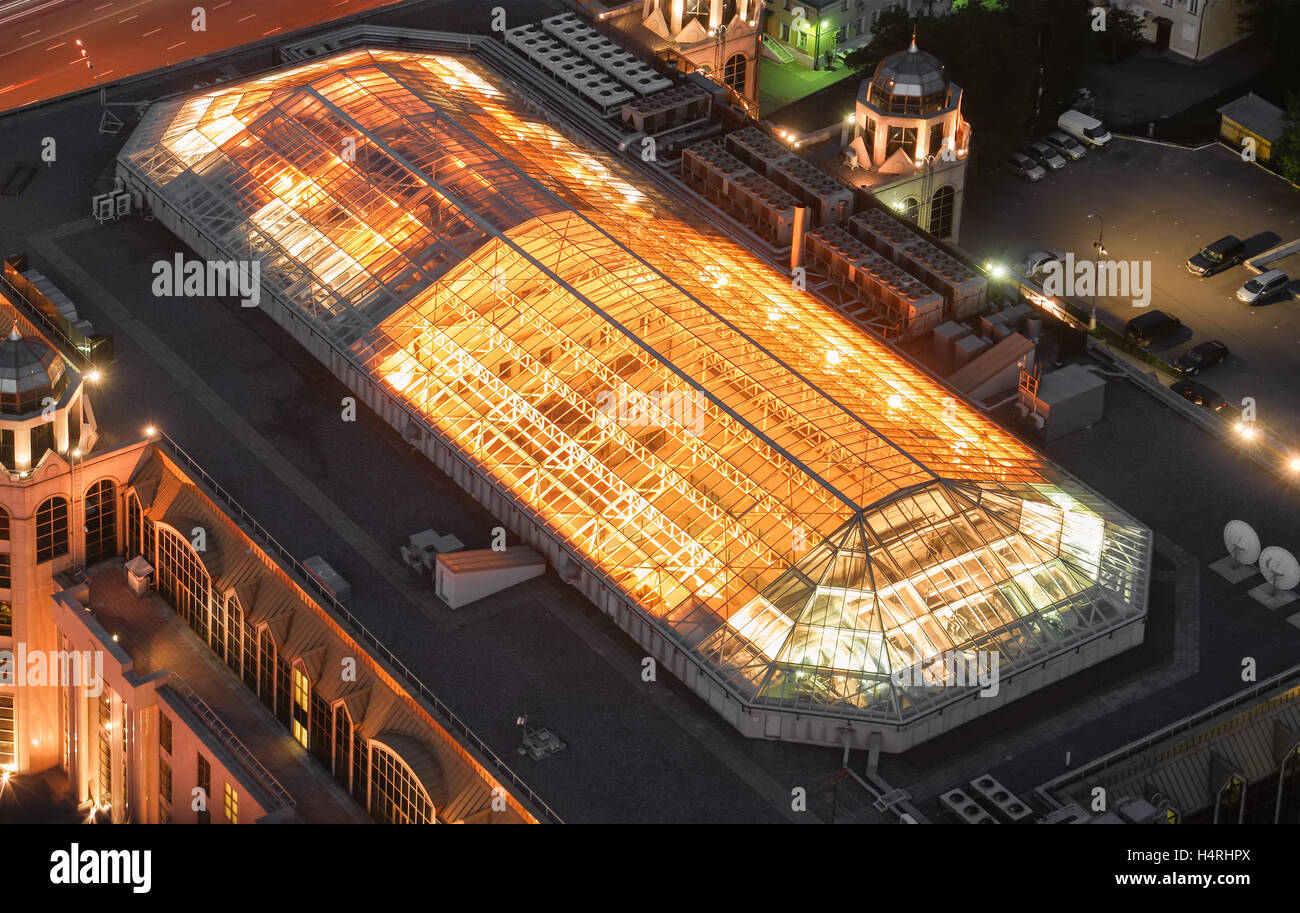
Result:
pixel 786 499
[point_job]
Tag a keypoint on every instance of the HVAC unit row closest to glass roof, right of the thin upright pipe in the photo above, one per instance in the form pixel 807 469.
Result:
pixel 879 288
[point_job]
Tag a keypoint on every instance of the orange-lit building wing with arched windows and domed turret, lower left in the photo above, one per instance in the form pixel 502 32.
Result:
pixel 119 569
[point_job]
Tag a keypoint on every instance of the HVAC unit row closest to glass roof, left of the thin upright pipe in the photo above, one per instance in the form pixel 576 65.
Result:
pixel 739 191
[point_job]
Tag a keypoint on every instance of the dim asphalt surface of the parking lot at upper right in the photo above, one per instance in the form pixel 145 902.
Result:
pixel 1164 204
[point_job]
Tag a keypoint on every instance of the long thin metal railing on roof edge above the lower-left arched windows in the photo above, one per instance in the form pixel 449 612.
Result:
pixel 331 602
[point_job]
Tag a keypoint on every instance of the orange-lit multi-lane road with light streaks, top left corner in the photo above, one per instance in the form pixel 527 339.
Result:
pixel 40 58
